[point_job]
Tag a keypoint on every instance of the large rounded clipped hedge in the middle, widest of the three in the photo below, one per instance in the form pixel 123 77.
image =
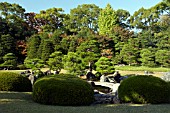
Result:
pixel 63 90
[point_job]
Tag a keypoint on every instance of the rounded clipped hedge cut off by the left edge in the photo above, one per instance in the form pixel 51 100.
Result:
pixel 10 81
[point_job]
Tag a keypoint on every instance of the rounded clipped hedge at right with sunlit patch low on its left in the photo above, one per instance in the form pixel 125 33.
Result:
pixel 143 89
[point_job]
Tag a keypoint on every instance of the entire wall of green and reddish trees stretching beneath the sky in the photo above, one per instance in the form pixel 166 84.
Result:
pixel 88 34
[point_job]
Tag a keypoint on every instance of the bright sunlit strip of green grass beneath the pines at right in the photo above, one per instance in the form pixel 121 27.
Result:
pixel 141 68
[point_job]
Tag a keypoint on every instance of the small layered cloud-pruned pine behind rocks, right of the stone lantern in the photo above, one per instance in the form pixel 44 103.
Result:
pixel 104 66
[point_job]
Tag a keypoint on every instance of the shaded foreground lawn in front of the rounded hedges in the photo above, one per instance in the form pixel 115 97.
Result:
pixel 15 102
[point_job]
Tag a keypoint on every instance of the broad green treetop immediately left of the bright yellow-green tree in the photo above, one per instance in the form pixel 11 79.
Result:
pixel 84 16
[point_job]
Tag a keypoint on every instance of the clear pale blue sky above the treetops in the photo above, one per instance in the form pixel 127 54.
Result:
pixel 66 5
